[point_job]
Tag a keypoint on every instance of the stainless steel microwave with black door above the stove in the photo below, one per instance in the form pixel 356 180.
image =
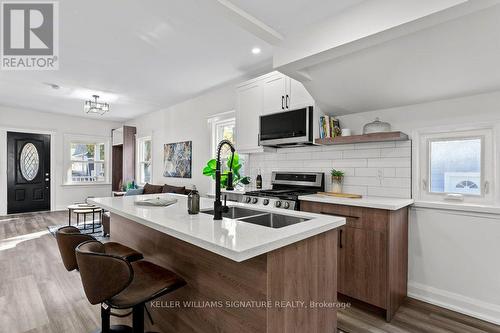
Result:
pixel 287 128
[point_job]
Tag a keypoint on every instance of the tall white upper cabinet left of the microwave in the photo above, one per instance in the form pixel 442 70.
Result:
pixel 248 111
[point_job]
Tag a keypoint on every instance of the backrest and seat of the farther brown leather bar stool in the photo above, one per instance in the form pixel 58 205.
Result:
pixel 68 238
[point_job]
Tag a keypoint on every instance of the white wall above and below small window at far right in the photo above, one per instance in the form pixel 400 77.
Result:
pixel 453 256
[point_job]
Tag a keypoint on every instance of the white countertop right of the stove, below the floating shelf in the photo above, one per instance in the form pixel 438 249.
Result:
pixel 368 202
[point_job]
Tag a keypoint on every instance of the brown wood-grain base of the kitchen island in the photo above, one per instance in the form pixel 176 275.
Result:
pixel 261 294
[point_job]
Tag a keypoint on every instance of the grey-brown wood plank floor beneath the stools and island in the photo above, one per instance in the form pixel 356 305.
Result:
pixel 37 295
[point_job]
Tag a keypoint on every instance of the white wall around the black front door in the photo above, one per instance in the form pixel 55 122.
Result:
pixel 13 119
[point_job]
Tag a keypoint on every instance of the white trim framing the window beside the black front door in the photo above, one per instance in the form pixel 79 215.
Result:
pixel 86 139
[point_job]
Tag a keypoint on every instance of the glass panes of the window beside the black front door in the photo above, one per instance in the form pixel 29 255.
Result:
pixel 88 162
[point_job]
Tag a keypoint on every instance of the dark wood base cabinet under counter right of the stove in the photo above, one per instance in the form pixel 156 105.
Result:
pixel 372 255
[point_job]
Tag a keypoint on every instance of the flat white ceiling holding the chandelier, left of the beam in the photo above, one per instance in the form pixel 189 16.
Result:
pixel 138 55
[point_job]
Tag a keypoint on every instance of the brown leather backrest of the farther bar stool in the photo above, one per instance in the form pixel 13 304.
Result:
pixel 68 238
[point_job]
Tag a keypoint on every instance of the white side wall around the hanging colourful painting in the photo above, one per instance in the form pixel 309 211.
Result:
pixel 187 121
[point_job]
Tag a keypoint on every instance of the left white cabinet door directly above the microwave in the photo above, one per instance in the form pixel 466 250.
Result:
pixel 275 93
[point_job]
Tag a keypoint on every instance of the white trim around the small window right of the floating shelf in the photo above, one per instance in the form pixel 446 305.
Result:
pixel 488 158
